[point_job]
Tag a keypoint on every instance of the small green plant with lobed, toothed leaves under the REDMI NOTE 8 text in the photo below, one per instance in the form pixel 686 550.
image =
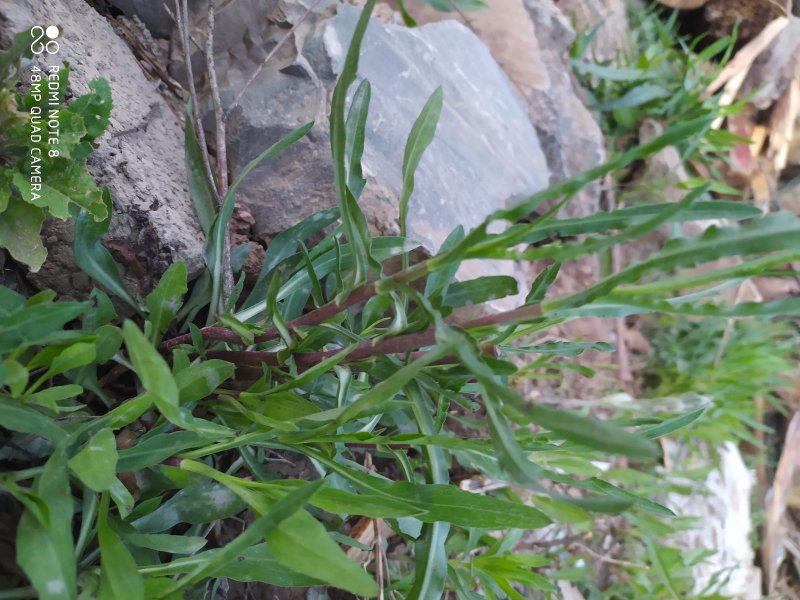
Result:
pixel 43 150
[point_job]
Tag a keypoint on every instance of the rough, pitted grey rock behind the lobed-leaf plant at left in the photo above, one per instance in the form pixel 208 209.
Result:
pixel 139 158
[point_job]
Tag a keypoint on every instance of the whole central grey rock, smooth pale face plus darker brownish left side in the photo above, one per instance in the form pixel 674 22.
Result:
pixel 485 154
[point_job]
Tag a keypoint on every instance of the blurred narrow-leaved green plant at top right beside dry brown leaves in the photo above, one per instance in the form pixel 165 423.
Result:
pixel 661 76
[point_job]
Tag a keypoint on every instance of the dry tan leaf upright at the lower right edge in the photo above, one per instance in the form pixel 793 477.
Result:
pixel 789 463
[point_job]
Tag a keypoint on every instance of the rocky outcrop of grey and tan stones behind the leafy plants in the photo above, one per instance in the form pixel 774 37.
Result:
pixel 513 120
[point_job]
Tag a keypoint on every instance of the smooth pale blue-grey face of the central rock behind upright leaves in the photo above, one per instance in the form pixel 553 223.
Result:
pixel 485 154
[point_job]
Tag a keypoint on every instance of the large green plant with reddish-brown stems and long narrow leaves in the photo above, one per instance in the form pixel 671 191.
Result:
pixel 125 448
